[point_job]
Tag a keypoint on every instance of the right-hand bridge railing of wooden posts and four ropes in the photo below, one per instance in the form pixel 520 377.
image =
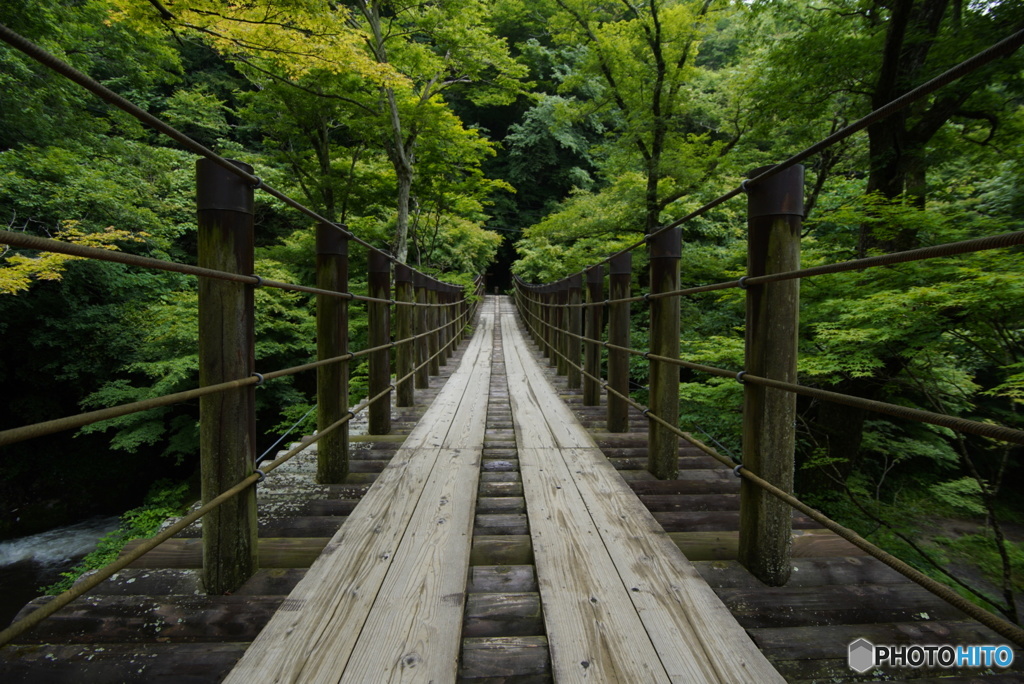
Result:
pixel 567 319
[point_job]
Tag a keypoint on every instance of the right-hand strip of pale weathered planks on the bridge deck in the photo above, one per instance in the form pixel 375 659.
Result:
pixel 605 567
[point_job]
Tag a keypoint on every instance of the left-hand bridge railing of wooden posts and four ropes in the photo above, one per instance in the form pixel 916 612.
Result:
pixel 429 319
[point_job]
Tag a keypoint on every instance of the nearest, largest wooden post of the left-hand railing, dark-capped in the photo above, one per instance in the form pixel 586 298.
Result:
pixel 228 420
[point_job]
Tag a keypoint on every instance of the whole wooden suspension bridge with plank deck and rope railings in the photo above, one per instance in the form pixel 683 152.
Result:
pixel 510 514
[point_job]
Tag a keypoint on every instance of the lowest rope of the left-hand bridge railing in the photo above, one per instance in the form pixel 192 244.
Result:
pixel 91 582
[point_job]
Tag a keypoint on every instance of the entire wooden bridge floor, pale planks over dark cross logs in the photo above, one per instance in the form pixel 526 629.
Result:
pixel 472 561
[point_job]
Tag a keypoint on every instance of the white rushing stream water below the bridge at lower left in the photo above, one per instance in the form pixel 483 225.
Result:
pixel 30 563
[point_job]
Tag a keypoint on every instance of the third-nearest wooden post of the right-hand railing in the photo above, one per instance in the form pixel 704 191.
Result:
pixel 620 281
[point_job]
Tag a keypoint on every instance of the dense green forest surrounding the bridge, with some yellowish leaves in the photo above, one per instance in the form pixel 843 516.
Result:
pixel 536 137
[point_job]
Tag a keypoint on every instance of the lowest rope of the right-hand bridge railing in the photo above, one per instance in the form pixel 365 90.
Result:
pixel 990 620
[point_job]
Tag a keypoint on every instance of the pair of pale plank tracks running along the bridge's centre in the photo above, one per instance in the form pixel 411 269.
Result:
pixel 386 601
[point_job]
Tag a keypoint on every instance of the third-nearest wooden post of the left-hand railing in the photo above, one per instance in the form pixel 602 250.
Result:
pixel 380 333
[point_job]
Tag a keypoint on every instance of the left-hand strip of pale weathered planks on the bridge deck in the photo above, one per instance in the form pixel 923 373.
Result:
pixel 395 576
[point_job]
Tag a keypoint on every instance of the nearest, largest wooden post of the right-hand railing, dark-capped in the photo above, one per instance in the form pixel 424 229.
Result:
pixel 776 210
